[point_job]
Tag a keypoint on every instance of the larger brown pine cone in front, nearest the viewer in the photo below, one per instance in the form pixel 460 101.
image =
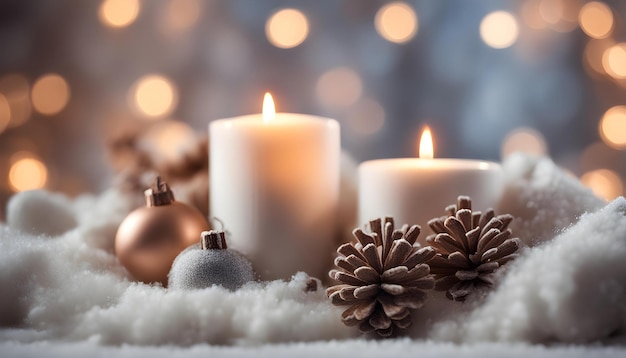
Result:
pixel 384 275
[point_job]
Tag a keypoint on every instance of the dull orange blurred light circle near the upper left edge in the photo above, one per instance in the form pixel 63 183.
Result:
pixel 50 94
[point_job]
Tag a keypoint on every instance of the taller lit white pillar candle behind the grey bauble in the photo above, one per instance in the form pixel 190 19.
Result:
pixel 274 183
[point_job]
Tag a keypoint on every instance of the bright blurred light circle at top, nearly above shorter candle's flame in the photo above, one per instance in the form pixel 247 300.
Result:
pixel 396 22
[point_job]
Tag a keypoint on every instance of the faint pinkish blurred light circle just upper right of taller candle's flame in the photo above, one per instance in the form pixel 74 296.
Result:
pixel 339 87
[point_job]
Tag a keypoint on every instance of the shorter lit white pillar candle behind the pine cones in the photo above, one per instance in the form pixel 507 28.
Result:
pixel 415 190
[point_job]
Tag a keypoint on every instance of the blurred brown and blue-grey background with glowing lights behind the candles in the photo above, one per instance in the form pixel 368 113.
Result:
pixel 490 77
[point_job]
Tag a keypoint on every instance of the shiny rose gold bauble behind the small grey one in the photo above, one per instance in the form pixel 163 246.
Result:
pixel 150 238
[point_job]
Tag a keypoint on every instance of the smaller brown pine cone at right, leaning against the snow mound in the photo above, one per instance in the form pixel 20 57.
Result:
pixel 470 247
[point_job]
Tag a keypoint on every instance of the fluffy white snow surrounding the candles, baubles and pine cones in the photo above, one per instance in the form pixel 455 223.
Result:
pixel 63 292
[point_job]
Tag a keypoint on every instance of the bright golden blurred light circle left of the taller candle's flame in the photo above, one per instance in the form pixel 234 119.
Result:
pixel 154 96
